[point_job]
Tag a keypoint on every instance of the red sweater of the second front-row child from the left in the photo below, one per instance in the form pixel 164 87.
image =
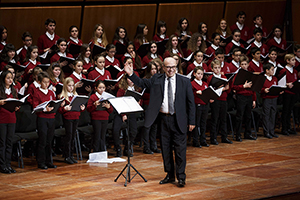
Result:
pixel 38 98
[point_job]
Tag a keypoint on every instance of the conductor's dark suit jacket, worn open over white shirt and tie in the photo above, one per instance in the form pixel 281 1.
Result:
pixel 184 99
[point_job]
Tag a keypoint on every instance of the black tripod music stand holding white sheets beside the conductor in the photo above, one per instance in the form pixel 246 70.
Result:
pixel 127 105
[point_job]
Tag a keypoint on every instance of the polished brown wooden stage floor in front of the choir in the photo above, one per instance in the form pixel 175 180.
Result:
pixel 243 170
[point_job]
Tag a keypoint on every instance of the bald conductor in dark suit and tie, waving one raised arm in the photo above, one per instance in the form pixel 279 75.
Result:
pixel 172 104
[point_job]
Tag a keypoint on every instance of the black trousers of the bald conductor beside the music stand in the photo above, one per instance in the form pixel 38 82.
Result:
pixel 171 136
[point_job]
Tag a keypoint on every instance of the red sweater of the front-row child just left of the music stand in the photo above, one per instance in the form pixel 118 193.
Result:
pixel 97 114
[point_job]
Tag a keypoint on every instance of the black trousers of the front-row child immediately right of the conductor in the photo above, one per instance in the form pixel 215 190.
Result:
pixel 201 117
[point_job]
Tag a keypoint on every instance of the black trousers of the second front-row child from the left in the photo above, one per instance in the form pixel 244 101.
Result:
pixel 45 129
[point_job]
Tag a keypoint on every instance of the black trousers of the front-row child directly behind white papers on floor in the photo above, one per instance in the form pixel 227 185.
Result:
pixel 100 127
